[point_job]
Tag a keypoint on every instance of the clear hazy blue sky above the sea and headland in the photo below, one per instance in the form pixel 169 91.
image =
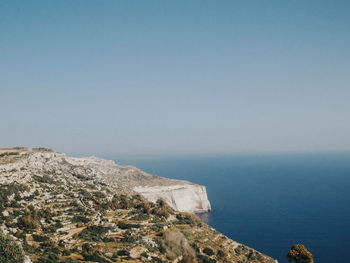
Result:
pixel 175 77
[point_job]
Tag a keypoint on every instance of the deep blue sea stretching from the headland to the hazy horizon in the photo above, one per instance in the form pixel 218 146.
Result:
pixel 270 202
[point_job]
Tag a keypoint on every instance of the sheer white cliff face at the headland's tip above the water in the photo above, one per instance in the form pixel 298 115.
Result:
pixel 190 198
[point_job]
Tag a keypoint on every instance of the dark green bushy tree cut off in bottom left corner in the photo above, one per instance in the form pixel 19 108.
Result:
pixel 10 252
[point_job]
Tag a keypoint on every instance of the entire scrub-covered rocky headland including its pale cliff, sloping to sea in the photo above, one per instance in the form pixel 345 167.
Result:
pixel 63 209
